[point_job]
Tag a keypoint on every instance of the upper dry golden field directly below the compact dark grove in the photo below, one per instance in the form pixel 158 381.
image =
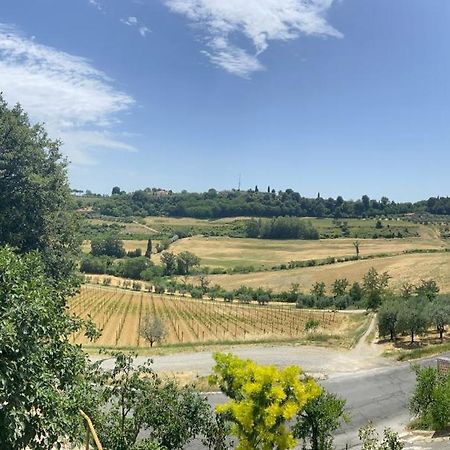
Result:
pixel 231 252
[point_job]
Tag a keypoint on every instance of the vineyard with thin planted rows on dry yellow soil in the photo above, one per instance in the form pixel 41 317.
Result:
pixel 118 313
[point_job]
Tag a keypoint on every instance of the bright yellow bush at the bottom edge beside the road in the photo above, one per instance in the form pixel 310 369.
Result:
pixel 262 400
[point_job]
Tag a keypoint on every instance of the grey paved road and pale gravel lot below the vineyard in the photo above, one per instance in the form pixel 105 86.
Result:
pixel 376 389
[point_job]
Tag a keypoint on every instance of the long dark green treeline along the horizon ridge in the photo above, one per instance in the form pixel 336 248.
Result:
pixel 233 203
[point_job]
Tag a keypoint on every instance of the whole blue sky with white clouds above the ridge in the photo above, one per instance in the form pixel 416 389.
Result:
pixel 345 97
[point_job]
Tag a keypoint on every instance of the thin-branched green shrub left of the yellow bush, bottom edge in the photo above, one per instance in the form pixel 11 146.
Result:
pixel 138 400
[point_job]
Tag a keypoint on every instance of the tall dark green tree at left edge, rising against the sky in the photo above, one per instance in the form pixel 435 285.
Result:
pixel 36 207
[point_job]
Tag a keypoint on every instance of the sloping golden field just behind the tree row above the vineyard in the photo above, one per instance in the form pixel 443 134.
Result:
pixel 411 268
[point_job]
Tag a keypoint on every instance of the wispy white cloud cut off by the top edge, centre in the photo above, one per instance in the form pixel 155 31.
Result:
pixel 259 21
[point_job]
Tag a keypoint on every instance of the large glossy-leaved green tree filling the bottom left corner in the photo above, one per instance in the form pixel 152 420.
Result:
pixel 43 377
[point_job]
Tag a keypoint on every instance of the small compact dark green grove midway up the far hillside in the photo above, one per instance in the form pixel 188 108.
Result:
pixel 281 228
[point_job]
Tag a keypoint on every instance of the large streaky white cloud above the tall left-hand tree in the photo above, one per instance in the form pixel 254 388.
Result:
pixel 76 101
